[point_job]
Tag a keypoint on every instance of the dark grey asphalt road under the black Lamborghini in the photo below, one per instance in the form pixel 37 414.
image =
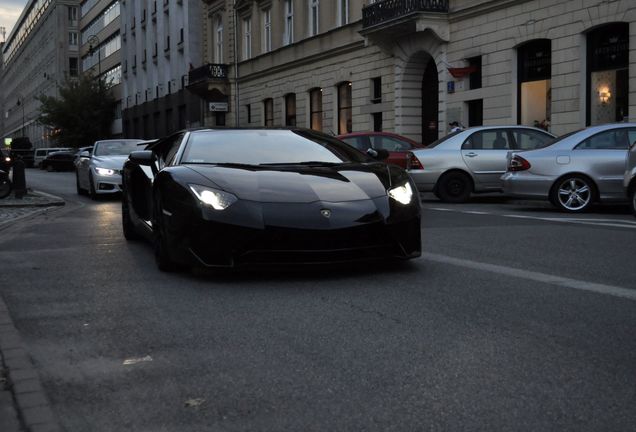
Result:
pixel 516 318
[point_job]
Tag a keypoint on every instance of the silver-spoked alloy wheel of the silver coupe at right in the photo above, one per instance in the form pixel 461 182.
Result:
pixel 573 193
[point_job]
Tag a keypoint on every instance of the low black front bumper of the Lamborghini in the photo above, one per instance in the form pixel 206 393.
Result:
pixel 265 234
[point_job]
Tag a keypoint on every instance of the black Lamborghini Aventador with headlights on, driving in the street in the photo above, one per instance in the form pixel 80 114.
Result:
pixel 224 198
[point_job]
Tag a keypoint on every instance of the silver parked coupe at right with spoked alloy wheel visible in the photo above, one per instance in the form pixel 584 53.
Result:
pixel 577 170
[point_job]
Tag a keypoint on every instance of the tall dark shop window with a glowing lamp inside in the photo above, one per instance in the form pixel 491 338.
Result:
pixel 607 74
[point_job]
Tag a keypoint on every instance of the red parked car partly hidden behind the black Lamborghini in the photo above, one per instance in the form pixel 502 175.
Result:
pixel 398 146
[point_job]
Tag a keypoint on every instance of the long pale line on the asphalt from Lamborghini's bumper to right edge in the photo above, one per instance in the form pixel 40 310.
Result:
pixel 611 290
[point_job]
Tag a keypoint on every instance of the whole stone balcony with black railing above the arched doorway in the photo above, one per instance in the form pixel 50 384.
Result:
pixel 394 18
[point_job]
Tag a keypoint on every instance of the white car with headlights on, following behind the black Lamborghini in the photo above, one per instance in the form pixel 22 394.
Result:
pixel 99 172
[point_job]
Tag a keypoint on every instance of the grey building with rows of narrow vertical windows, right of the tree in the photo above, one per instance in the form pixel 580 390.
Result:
pixel 160 43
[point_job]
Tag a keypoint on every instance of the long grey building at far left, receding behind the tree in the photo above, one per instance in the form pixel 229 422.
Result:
pixel 41 51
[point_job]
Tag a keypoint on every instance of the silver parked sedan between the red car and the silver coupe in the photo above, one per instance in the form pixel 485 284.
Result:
pixel 472 160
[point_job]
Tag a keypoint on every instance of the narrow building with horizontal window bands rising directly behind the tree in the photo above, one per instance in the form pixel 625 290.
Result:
pixel 100 47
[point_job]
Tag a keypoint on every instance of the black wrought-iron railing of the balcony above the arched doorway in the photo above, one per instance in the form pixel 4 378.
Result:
pixel 387 10
